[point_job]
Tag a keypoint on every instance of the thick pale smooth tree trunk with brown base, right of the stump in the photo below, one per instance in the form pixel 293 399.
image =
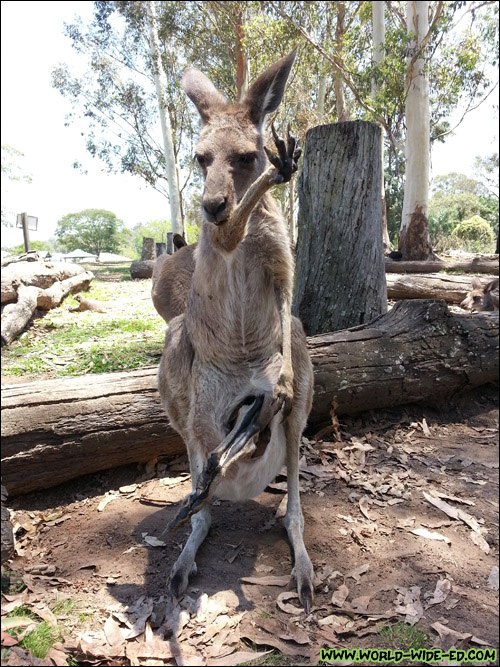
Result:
pixel 414 240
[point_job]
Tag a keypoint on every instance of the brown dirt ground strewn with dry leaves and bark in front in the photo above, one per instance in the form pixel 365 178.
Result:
pixel 401 523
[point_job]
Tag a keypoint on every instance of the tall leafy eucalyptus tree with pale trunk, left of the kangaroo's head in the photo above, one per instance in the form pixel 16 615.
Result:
pixel 123 88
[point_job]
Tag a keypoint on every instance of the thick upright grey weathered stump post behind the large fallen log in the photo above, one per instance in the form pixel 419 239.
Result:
pixel 340 274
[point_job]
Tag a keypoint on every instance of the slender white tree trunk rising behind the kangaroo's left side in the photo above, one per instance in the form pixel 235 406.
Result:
pixel 166 128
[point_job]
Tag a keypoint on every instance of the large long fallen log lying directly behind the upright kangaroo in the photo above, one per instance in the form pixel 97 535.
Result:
pixel 419 352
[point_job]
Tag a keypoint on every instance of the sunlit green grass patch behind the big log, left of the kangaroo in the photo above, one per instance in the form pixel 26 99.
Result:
pixel 61 343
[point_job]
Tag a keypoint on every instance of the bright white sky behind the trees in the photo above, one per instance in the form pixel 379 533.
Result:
pixel 33 116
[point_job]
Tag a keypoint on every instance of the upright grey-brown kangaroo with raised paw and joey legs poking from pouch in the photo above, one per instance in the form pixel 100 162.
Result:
pixel 235 377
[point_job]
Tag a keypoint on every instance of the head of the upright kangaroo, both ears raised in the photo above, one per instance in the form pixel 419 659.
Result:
pixel 230 148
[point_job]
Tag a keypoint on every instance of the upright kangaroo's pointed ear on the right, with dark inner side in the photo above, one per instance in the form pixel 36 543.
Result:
pixel 265 94
